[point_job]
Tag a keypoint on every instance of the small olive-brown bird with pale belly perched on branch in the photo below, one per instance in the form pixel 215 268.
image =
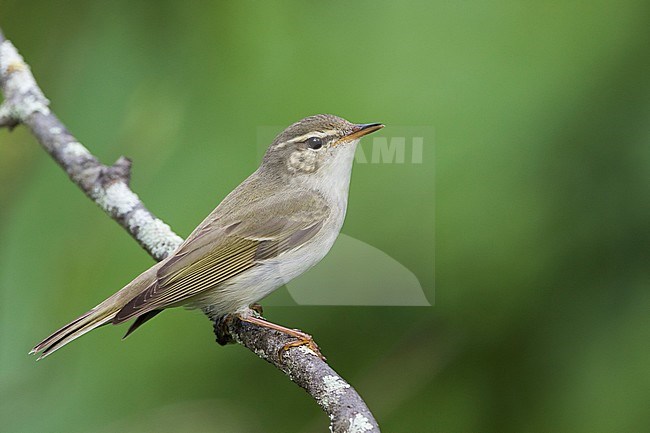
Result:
pixel 279 222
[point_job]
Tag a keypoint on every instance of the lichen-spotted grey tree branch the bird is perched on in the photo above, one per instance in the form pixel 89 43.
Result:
pixel 108 186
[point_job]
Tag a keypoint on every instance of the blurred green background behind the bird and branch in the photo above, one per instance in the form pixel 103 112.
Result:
pixel 539 218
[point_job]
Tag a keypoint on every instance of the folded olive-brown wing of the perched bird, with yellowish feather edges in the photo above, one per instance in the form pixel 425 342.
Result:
pixel 220 250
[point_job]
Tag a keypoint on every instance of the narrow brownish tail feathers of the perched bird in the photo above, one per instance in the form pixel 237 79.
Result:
pixel 86 322
